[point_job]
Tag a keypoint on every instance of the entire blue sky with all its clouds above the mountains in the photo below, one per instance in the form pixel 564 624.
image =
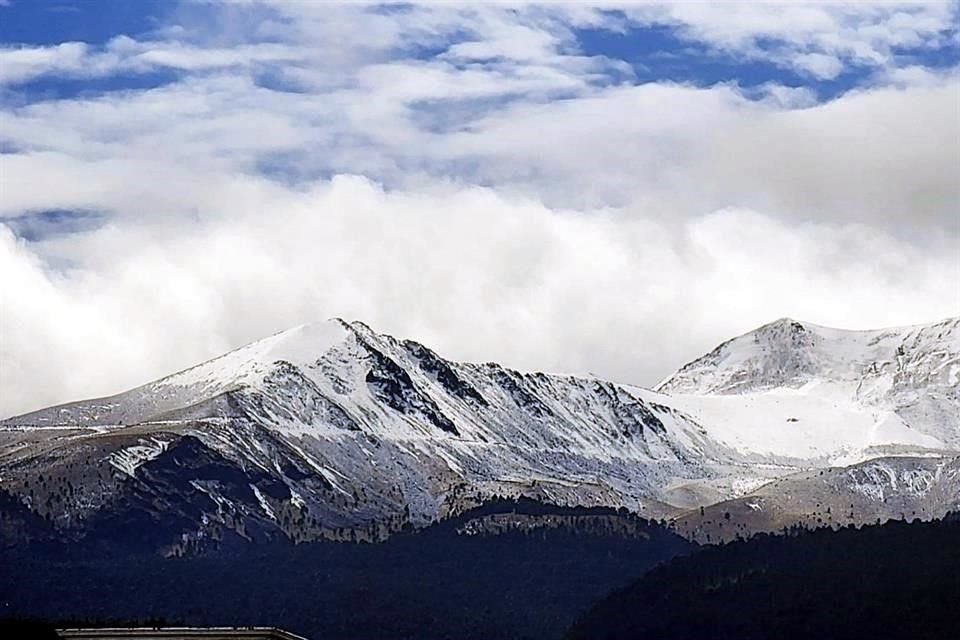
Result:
pixel 536 184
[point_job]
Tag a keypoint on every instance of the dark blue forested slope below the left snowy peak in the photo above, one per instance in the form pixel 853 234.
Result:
pixel 506 570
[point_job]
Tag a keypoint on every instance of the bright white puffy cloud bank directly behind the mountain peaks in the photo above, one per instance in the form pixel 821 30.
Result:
pixel 475 274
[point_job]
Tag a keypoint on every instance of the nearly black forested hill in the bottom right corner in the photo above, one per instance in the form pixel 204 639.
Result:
pixel 898 580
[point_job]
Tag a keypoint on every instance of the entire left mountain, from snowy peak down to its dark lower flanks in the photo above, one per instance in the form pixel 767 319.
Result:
pixel 333 427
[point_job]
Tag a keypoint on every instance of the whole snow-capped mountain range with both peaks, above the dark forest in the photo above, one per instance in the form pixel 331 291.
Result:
pixel 331 430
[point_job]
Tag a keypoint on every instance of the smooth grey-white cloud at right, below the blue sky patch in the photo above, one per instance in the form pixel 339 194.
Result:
pixel 885 156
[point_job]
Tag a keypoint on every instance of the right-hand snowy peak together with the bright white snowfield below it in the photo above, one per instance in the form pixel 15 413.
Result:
pixel 799 390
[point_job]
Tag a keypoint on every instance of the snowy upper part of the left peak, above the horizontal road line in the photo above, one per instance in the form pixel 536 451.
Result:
pixel 334 377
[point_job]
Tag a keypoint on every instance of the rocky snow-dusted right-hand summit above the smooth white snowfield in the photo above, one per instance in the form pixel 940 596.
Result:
pixel 907 375
